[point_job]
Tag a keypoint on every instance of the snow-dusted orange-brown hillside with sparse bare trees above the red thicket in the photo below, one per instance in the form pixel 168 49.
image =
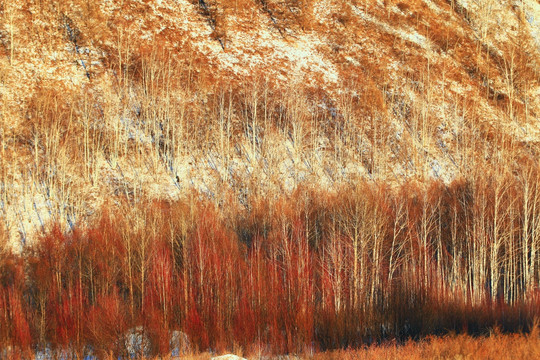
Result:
pixel 245 98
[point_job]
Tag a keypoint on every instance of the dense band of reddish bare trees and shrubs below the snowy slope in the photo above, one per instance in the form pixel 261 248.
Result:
pixel 315 270
